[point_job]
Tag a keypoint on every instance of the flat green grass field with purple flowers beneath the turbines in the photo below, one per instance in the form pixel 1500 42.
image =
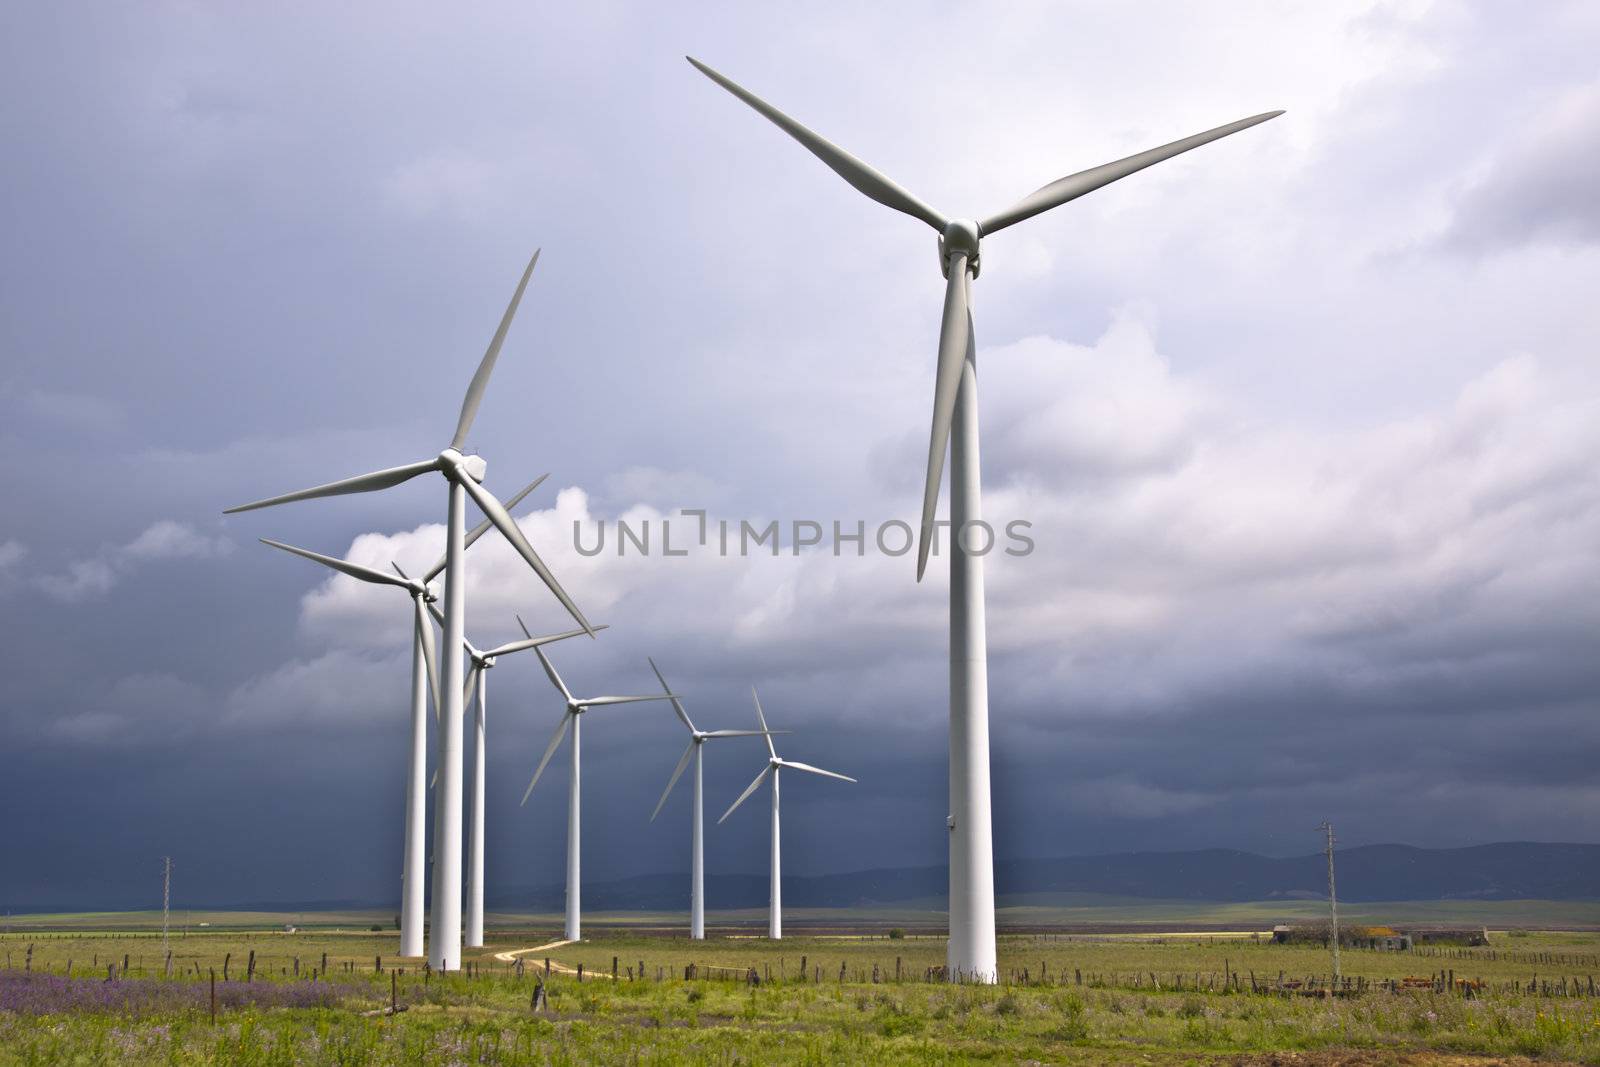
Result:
pixel 1145 997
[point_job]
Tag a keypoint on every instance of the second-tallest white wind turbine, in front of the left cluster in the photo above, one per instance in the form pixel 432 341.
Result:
pixel 463 476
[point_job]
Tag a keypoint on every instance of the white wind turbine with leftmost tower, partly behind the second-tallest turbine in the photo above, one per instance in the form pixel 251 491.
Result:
pixel 425 690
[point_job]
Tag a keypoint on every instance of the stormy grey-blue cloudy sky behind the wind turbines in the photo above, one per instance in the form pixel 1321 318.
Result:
pixel 1305 425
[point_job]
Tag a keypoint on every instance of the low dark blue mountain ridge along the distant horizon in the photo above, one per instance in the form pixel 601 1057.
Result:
pixel 1372 873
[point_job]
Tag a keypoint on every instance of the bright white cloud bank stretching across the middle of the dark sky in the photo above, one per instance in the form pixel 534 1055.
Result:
pixel 1172 532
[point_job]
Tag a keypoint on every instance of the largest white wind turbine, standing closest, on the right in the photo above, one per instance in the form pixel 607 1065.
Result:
pixel 972 949
